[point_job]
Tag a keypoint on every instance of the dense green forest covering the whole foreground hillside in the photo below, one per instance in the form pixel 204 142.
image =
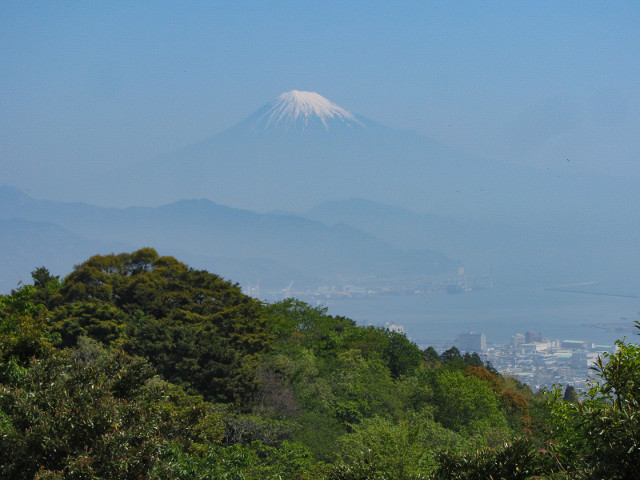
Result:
pixel 137 366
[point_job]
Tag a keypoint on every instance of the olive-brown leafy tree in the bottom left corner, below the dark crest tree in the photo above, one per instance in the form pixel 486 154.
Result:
pixel 94 413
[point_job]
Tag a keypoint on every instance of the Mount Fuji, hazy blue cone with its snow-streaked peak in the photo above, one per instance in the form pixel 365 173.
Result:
pixel 302 149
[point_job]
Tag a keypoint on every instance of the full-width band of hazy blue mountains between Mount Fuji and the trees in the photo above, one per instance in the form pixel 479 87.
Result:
pixel 335 243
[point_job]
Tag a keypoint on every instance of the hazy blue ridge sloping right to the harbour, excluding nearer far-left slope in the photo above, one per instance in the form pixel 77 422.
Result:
pixel 239 244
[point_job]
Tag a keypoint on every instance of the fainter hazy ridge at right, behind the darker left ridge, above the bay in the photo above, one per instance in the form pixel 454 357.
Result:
pixel 584 247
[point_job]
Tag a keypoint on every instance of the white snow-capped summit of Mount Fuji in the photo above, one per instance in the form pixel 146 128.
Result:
pixel 300 110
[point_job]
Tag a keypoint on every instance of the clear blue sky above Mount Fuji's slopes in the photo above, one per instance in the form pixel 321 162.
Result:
pixel 91 86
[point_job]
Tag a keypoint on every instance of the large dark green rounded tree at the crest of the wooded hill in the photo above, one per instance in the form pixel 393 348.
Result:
pixel 198 330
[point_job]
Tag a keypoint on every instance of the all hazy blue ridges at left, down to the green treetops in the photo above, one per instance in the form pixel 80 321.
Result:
pixel 243 246
